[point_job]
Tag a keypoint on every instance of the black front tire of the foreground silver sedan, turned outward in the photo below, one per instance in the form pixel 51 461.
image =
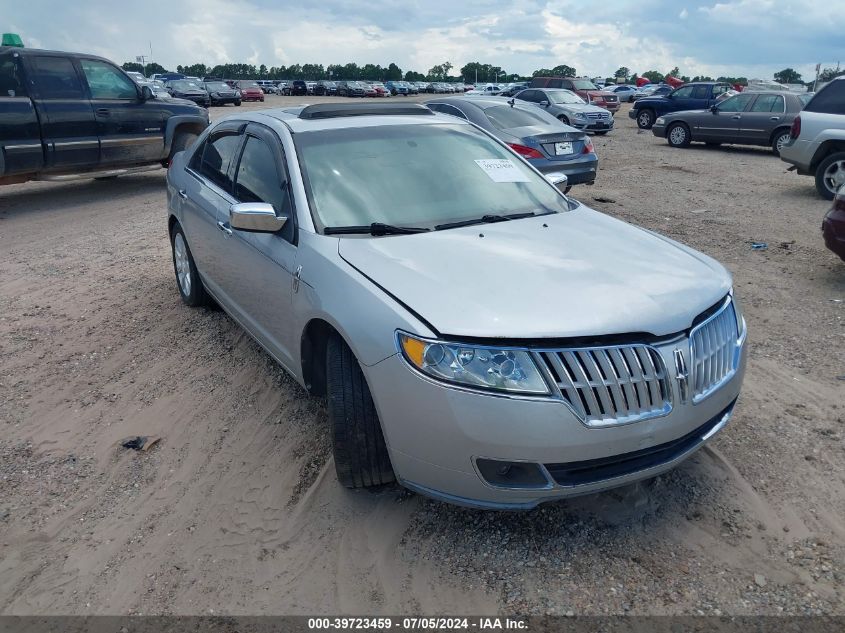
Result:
pixel 360 454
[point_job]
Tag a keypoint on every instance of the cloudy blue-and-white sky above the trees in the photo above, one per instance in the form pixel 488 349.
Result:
pixel 752 38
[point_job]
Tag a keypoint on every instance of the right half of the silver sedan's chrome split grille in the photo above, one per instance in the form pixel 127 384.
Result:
pixel 714 352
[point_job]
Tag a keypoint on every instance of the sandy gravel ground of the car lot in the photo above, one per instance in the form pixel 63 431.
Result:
pixel 237 510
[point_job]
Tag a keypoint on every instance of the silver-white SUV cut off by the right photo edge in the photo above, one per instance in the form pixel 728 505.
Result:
pixel 816 146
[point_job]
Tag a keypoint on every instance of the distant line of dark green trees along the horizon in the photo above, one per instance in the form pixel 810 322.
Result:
pixel 472 72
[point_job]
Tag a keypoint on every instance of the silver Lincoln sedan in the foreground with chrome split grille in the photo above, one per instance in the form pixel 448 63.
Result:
pixel 480 337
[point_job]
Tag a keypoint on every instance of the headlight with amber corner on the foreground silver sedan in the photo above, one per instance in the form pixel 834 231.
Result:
pixel 491 368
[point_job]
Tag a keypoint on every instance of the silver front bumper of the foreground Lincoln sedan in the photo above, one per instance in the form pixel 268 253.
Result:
pixel 436 433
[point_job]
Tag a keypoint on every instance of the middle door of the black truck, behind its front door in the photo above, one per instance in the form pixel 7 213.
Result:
pixel 68 126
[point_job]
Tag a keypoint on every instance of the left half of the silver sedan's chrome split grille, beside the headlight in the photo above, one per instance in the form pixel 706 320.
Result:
pixel 613 385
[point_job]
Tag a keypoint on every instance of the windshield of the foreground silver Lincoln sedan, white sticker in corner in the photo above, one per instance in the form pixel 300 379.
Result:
pixel 416 175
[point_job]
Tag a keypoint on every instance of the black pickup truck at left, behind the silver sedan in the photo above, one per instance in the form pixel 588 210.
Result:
pixel 69 115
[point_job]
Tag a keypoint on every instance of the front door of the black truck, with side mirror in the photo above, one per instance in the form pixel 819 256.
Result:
pixel 131 131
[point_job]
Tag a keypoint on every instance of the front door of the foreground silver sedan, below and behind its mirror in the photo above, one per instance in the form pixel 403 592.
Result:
pixel 258 270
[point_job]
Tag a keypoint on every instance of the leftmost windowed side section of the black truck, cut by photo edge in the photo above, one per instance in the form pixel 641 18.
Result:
pixel 20 143
